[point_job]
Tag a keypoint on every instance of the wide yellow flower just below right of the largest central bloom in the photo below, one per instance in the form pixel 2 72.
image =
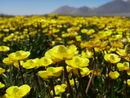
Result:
pixel 78 62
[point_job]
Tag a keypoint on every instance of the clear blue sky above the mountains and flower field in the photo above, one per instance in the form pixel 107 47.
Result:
pixel 27 7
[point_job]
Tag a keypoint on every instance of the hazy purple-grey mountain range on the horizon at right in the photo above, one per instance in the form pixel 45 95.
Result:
pixel 115 7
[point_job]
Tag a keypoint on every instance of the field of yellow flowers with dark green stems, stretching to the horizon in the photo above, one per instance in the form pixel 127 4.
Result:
pixel 64 57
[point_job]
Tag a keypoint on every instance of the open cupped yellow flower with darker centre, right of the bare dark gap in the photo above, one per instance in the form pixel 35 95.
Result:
pixel 112 58
